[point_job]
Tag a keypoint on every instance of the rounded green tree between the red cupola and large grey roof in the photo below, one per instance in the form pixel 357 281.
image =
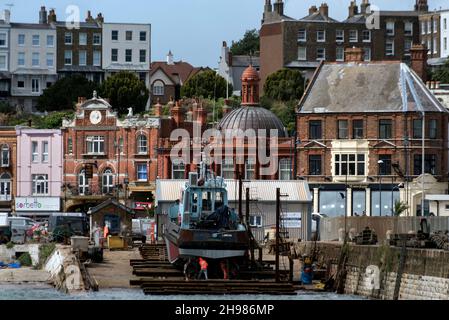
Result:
pixel 284 85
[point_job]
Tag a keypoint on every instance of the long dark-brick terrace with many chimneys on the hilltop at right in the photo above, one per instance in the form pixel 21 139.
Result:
pixel 303 43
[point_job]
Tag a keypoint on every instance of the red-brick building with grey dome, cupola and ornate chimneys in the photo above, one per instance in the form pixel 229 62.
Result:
pixel 193 118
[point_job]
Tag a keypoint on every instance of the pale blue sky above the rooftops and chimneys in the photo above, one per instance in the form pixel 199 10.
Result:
pixel 192 29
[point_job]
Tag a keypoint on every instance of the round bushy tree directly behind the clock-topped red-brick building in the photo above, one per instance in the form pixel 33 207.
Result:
pixel 125 90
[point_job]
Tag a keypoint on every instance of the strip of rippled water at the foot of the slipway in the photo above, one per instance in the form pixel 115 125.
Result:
pixel 41 292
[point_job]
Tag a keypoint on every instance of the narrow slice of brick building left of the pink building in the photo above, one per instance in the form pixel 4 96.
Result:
pixel 8 162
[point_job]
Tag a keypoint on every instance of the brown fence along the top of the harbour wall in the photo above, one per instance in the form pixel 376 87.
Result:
pixel 330 227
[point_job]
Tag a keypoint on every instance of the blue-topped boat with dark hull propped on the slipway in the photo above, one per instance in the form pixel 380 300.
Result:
pixel 205 226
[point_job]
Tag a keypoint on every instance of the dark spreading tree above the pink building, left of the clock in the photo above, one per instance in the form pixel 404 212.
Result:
pixel 64 93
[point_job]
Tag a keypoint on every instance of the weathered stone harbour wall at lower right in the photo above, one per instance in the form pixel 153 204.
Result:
pixel 376 271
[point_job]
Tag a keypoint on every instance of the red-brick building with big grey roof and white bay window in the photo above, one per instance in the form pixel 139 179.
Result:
pixel 360 141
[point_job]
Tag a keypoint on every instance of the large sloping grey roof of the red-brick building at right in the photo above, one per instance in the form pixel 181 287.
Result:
pixel 367 87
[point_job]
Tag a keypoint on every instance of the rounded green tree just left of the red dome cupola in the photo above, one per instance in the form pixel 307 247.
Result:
pixel 206 84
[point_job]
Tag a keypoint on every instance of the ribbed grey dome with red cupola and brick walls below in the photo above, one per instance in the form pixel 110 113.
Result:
pixel 251 115
